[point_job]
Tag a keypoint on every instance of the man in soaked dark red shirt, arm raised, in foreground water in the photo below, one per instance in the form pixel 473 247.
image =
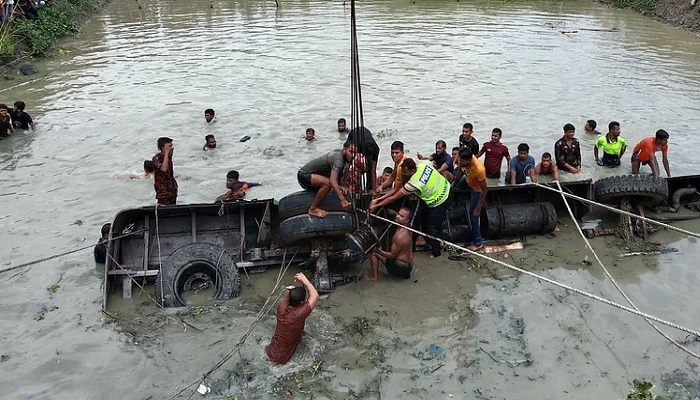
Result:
pixel 292 312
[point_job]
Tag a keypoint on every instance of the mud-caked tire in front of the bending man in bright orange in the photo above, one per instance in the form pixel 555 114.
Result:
pixel 639 189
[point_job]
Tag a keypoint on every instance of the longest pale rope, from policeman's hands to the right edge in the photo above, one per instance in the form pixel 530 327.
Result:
pixel 548 280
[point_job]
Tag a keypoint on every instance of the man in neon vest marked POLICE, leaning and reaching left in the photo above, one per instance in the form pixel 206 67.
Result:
pixel 425 181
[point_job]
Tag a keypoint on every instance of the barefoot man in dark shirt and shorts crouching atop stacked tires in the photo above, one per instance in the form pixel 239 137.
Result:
pixel 323 173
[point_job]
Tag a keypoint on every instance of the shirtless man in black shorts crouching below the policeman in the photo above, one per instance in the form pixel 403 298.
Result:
pixel 399 260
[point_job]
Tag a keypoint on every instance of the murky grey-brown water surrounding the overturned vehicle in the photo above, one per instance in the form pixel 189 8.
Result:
pixel 456 329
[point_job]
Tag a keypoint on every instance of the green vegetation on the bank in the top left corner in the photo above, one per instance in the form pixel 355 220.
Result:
pixel 36 37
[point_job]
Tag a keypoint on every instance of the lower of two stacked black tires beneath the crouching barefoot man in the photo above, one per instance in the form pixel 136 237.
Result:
pixel 304 227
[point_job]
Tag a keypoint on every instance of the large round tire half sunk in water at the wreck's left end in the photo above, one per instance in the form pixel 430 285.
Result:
pixel 193 260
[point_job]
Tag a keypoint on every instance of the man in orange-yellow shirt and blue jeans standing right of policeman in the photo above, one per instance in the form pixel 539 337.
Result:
pixel 475 174
